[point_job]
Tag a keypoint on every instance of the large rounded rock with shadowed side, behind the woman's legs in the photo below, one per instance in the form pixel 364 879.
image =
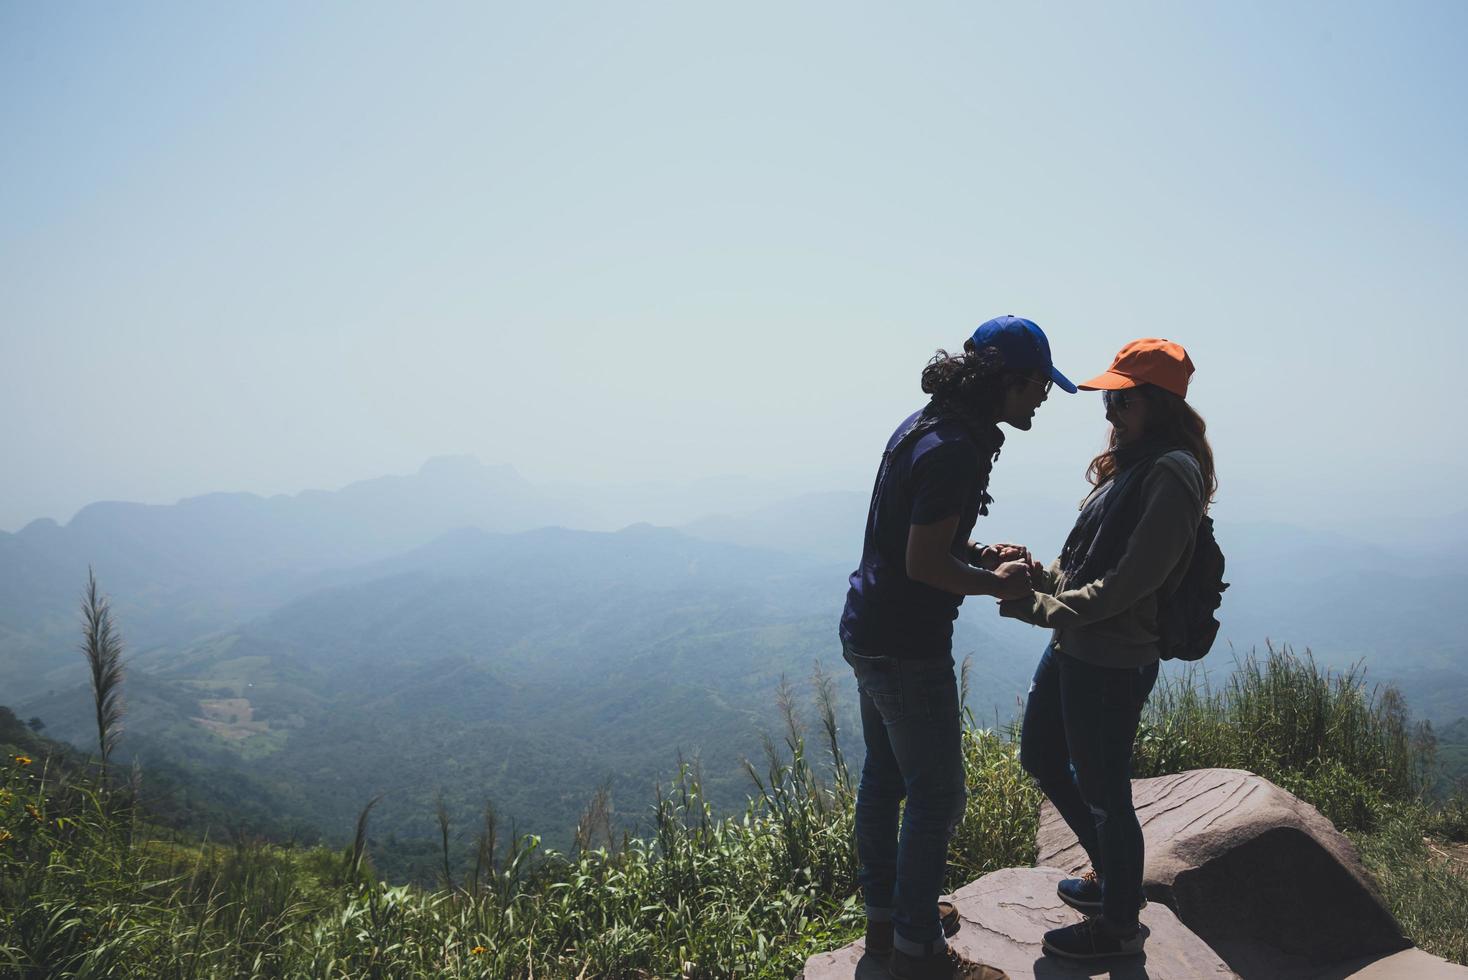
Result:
pixel 1253 871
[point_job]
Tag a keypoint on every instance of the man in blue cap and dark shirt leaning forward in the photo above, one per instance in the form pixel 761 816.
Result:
pixel 918 564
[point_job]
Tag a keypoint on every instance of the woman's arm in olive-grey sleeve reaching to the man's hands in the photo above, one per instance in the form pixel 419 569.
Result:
pixel 1169 523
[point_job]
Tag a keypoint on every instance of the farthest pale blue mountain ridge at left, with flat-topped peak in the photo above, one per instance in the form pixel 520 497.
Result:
pixel 175 571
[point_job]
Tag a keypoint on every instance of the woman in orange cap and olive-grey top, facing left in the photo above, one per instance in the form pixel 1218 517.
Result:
pixel 1131 545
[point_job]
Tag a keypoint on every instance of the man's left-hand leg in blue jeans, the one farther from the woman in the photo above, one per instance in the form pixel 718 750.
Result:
pixel 880 791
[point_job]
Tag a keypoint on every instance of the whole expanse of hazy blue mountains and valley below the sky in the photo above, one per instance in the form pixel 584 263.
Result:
pixel 446 633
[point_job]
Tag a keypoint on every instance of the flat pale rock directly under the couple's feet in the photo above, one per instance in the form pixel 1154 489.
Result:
pixel 1005 918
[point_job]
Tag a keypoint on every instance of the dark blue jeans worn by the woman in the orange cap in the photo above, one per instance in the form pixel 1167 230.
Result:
pixel 1080 727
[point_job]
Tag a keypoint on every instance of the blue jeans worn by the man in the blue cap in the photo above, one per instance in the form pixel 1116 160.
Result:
pixel 914 734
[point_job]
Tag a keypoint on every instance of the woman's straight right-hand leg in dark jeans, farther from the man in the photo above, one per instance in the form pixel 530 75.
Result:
pixel 1103 709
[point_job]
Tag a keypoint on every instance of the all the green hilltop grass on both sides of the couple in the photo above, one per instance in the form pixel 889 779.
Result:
pixel 89 890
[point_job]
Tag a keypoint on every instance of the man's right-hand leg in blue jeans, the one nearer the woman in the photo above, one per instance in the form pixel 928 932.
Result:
pixel 927 740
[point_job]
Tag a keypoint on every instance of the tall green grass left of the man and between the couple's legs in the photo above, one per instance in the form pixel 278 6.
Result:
pixel 698 897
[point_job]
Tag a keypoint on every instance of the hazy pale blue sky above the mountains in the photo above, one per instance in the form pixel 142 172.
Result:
pixel 272 246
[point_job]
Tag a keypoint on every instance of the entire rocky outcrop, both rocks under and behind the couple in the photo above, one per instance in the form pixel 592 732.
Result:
pixel 1246 881
